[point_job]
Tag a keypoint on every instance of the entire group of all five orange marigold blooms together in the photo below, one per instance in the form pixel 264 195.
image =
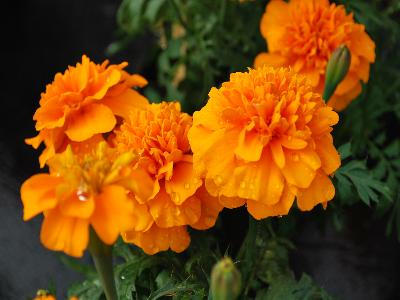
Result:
pixel 119 165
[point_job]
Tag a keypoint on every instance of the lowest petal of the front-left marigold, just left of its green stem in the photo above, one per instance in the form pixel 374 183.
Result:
pixel 68 234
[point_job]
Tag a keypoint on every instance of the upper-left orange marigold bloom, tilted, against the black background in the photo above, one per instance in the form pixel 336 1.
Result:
pixel 83 102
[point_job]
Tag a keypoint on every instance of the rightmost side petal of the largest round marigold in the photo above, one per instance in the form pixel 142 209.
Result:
pixel 328 154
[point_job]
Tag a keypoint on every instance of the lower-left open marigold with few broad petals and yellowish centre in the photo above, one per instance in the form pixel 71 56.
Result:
pixel 98 189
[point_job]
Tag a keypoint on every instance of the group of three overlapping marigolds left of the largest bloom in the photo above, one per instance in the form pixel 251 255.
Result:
pixel 137 180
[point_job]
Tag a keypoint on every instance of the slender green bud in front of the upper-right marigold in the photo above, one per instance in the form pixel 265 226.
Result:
pixel 336 70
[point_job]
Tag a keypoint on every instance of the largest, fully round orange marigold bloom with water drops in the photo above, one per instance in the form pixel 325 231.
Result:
pixel 263 139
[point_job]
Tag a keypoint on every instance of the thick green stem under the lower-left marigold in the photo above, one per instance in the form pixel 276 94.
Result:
pixel 102 257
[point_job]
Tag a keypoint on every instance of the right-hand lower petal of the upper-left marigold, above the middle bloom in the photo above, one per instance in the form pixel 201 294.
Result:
pixel 122 104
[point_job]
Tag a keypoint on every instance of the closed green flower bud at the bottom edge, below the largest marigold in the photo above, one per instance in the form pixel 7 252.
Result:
pixel 225 280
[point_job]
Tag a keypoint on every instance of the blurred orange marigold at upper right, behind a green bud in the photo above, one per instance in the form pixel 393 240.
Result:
pixel 304 33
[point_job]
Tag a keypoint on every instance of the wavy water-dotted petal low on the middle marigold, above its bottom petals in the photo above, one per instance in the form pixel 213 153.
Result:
pixel 167 214
